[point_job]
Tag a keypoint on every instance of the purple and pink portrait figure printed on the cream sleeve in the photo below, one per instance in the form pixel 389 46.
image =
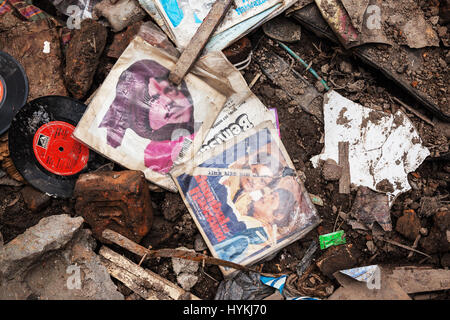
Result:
pixel 147 103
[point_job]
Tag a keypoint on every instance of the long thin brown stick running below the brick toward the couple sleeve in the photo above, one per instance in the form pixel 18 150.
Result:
pixel 147 254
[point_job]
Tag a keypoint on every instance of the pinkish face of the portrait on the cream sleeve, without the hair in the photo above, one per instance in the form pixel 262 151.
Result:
pixel 168 104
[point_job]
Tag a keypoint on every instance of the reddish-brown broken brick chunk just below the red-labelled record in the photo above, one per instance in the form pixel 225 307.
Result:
pixel 118 201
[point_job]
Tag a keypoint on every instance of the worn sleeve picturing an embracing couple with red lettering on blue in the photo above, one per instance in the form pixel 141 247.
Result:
pixel 246 198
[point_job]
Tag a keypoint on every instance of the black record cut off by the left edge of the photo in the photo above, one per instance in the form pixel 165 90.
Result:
pixel 13 89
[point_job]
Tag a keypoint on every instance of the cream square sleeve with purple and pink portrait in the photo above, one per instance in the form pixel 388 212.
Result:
pixel 141 120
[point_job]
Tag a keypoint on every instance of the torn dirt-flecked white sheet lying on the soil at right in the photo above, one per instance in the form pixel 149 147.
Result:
pixel 383 148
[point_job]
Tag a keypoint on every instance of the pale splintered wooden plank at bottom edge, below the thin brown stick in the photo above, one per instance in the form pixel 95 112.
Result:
pixel 145 283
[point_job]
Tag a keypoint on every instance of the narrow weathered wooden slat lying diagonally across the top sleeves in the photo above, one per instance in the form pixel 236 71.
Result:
pixel 199 40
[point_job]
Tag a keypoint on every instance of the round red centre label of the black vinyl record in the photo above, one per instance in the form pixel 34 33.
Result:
pixel 57 151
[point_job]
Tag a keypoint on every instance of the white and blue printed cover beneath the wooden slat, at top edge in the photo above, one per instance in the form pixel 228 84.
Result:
pixel 183 17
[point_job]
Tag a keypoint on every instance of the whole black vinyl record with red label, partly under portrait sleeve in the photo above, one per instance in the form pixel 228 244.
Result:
pixel 43 149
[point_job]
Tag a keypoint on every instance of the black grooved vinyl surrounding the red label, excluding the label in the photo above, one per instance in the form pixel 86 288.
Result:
pixel 33 117
